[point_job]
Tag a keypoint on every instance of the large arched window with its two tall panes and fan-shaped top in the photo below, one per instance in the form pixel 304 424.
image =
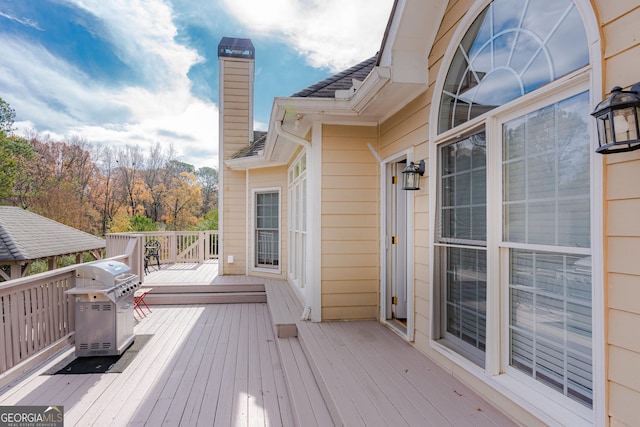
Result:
pixel 513 193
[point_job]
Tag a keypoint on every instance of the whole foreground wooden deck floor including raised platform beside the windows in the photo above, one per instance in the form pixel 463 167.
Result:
pixel 222 364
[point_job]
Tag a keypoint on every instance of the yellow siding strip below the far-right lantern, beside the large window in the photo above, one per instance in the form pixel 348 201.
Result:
pixel 623 284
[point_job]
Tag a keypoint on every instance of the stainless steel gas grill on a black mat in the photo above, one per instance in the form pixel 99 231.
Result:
pixel 104 308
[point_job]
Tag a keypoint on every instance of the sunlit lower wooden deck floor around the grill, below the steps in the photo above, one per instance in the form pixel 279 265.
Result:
pixel 175 378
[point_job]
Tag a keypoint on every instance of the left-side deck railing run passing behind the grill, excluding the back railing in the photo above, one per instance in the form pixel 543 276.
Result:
pixel 36 314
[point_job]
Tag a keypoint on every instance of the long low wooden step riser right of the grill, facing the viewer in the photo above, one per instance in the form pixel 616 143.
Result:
pixel 154 298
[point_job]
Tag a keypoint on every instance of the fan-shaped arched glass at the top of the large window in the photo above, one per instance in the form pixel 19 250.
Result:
pixel 501 59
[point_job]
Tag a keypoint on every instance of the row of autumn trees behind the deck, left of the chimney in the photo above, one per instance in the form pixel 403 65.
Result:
pixel 99 188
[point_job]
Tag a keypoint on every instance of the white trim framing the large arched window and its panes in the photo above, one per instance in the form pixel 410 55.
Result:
pixel 590 77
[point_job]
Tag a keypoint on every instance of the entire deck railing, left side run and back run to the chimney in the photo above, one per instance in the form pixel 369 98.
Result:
pixel 36 315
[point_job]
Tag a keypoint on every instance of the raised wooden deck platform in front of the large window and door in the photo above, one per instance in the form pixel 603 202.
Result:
pixel 342 354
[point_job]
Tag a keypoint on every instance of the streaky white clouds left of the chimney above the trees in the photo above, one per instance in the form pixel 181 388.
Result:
pixel 56 98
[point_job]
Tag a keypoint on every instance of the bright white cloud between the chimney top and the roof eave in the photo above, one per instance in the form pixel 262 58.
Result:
pixel 330 33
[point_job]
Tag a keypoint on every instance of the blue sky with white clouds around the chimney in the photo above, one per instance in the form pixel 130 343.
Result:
pixel 138 72
